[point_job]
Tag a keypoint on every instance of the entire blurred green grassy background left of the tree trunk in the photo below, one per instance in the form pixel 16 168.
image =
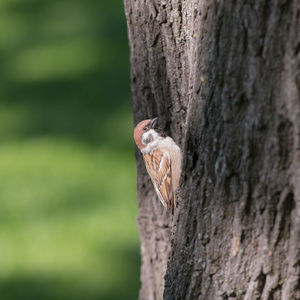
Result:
pixel 67 172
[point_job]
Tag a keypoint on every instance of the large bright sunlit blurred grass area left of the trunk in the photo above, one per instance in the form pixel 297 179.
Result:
pixel 66 210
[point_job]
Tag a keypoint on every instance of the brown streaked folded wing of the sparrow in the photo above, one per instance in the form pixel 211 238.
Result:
pixel 158 166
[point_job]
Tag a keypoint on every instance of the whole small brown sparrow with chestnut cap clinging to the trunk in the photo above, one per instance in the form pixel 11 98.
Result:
pixel 162 158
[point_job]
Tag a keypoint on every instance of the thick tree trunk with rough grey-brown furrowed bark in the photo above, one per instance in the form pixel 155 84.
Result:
pixel 224 79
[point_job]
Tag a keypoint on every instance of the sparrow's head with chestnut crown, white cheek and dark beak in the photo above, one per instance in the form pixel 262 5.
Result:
pixel 146 132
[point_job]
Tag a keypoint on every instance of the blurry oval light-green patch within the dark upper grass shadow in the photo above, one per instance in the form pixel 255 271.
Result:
pixel 62 60
